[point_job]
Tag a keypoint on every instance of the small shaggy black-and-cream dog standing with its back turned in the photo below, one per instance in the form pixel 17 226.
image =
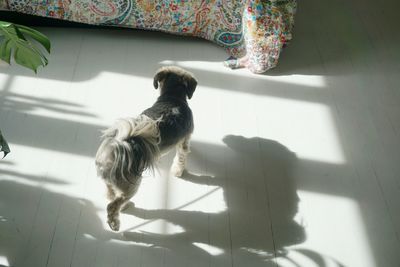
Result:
pixel 133 145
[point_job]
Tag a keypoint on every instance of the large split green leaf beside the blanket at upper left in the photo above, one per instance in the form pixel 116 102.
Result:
pixel 15 43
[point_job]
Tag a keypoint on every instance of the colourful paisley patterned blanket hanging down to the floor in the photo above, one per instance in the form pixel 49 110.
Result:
pixel 257 29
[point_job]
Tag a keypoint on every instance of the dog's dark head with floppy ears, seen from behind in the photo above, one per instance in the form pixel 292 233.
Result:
pixel 175 81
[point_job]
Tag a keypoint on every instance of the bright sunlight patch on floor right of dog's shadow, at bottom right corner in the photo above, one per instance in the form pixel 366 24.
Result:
pixel 339 220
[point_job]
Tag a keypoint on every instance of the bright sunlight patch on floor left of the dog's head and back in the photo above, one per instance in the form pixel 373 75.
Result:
pixel 63 100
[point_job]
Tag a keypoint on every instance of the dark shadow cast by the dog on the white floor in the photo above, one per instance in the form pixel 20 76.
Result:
pixel 255 175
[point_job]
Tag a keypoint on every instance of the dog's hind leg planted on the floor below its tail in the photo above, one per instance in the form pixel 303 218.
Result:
pixel 120 200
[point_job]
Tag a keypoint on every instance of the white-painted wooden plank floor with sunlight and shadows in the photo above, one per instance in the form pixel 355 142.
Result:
pixel 295 168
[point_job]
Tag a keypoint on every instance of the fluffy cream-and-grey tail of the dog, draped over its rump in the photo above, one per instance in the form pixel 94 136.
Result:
pixel 128 148
